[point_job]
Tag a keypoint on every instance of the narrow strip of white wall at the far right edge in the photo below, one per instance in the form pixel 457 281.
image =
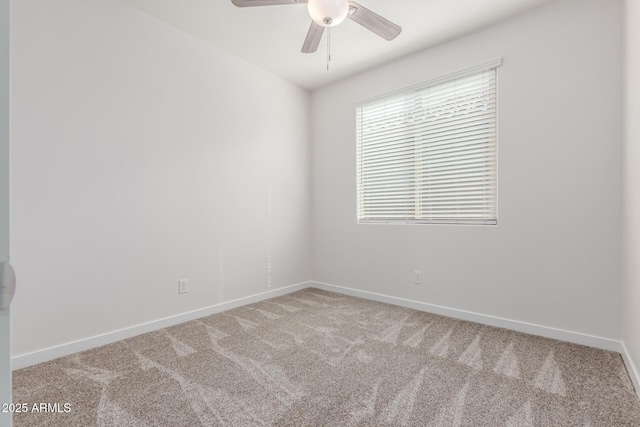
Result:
pixel 631 167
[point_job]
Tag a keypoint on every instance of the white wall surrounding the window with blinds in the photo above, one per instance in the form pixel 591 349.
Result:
pixel 555 257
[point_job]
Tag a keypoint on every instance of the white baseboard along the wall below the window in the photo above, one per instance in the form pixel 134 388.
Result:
pixel 515 325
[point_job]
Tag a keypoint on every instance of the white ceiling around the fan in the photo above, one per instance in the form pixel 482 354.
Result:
pixel 271 36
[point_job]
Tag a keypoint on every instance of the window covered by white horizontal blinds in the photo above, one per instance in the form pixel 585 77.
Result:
pixel 427 154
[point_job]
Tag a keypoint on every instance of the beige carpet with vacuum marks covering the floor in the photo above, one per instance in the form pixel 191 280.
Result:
pixel 315 358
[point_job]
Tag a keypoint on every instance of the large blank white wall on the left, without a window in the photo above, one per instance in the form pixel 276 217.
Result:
pixel 141 156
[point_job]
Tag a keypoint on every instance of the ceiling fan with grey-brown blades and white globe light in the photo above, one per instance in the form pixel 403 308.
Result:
pixel 329 13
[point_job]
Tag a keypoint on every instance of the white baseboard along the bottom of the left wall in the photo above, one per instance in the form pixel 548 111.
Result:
pixel 44 355
